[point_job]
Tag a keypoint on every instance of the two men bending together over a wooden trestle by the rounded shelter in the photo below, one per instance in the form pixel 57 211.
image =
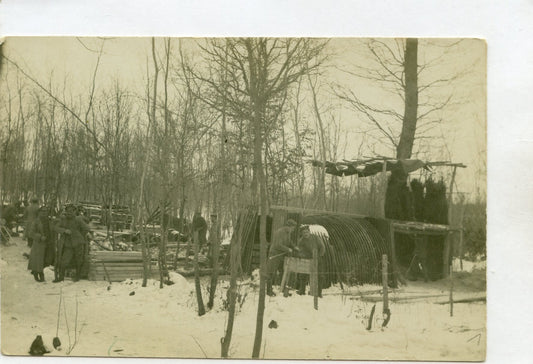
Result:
pixel 283 245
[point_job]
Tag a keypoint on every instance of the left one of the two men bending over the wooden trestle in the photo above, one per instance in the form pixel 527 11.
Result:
pixel 281 247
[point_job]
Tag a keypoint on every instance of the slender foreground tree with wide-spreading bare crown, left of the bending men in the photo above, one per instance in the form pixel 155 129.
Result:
pixel 259 72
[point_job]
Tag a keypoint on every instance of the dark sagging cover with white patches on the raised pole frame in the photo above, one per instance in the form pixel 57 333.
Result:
pixel 369 167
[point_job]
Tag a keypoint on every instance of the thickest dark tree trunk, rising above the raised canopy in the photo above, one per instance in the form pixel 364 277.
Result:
pixel 407 137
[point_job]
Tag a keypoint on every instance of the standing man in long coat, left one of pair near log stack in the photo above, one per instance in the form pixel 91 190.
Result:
pixel 40 233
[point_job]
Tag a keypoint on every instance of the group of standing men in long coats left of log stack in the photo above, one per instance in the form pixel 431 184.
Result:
pixel 61 241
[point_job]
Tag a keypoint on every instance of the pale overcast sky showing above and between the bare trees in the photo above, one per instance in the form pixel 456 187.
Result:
pixel 71 61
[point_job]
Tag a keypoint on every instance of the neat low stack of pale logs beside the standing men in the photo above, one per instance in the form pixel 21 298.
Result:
pixel 117 266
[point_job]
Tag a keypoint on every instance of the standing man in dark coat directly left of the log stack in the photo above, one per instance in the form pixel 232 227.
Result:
pixel 73 243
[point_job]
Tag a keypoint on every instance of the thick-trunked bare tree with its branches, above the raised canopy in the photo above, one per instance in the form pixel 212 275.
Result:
pixel 413 105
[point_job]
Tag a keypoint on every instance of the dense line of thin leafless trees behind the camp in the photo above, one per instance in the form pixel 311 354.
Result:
pixel 188 138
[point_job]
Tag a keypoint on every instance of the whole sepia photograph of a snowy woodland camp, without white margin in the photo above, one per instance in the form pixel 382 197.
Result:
pixel 244 198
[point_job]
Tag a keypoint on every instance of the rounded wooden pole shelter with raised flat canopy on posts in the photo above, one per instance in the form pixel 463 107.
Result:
pixel 355 243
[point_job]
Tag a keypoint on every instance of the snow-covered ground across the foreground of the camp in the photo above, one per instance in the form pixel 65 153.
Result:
pixel 126 320
